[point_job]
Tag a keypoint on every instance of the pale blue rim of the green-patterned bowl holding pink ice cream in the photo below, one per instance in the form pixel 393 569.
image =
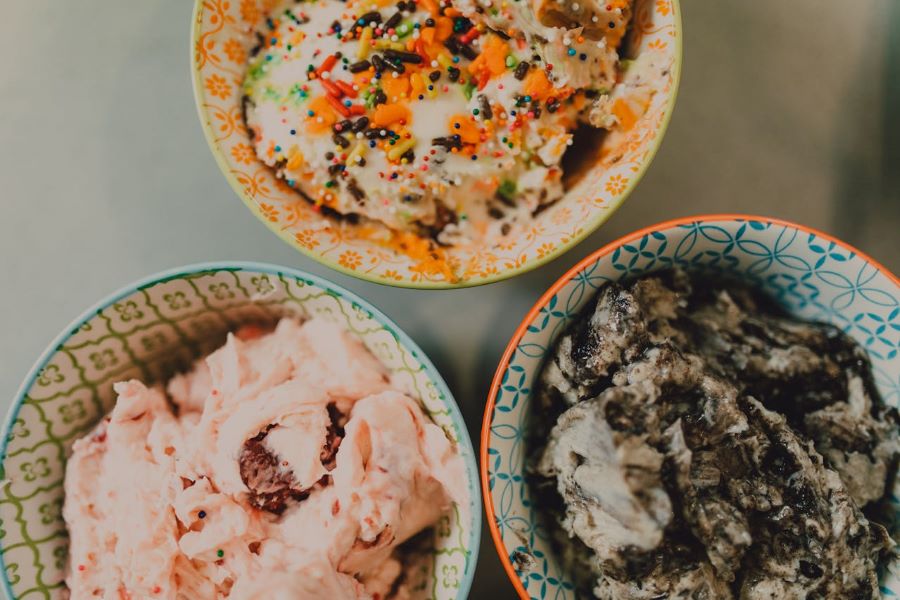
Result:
pixel 475 518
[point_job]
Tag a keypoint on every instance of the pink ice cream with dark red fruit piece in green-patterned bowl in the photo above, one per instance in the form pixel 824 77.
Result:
pixel 284 465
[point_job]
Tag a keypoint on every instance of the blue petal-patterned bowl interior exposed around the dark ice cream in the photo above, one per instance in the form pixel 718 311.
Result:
pixel 813 277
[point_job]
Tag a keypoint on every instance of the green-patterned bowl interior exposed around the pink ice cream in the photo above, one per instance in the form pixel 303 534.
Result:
pixel 160 326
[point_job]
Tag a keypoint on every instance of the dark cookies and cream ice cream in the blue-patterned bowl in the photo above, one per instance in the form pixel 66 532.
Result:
pixel 709 446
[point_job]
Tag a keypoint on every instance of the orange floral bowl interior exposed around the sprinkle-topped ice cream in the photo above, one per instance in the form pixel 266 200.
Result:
pixel 221 38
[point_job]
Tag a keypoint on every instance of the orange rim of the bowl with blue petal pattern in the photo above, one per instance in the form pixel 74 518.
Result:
pixel 520 331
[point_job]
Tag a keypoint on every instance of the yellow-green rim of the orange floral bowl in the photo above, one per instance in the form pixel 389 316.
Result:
pixel 591 226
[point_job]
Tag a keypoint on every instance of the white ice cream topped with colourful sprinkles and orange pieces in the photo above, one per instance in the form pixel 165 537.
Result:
pixel 447 120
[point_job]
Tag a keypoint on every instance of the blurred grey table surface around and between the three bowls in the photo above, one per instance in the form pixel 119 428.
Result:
pixel 783 111
